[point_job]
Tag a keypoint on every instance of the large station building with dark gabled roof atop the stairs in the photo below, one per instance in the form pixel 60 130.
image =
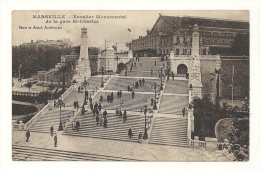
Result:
pixel 175 33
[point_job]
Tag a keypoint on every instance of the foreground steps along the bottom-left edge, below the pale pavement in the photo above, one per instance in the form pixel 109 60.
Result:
pixel 24 153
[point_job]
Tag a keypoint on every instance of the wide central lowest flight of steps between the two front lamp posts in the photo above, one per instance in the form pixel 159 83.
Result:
pixel 116 128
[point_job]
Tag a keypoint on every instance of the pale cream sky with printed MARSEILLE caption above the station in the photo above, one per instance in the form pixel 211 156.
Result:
pixel 112 30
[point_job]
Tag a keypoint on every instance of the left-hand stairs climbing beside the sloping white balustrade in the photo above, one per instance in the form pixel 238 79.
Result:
pixel 52 117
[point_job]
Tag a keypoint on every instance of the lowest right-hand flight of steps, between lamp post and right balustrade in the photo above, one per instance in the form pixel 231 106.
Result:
pixel 169 131
